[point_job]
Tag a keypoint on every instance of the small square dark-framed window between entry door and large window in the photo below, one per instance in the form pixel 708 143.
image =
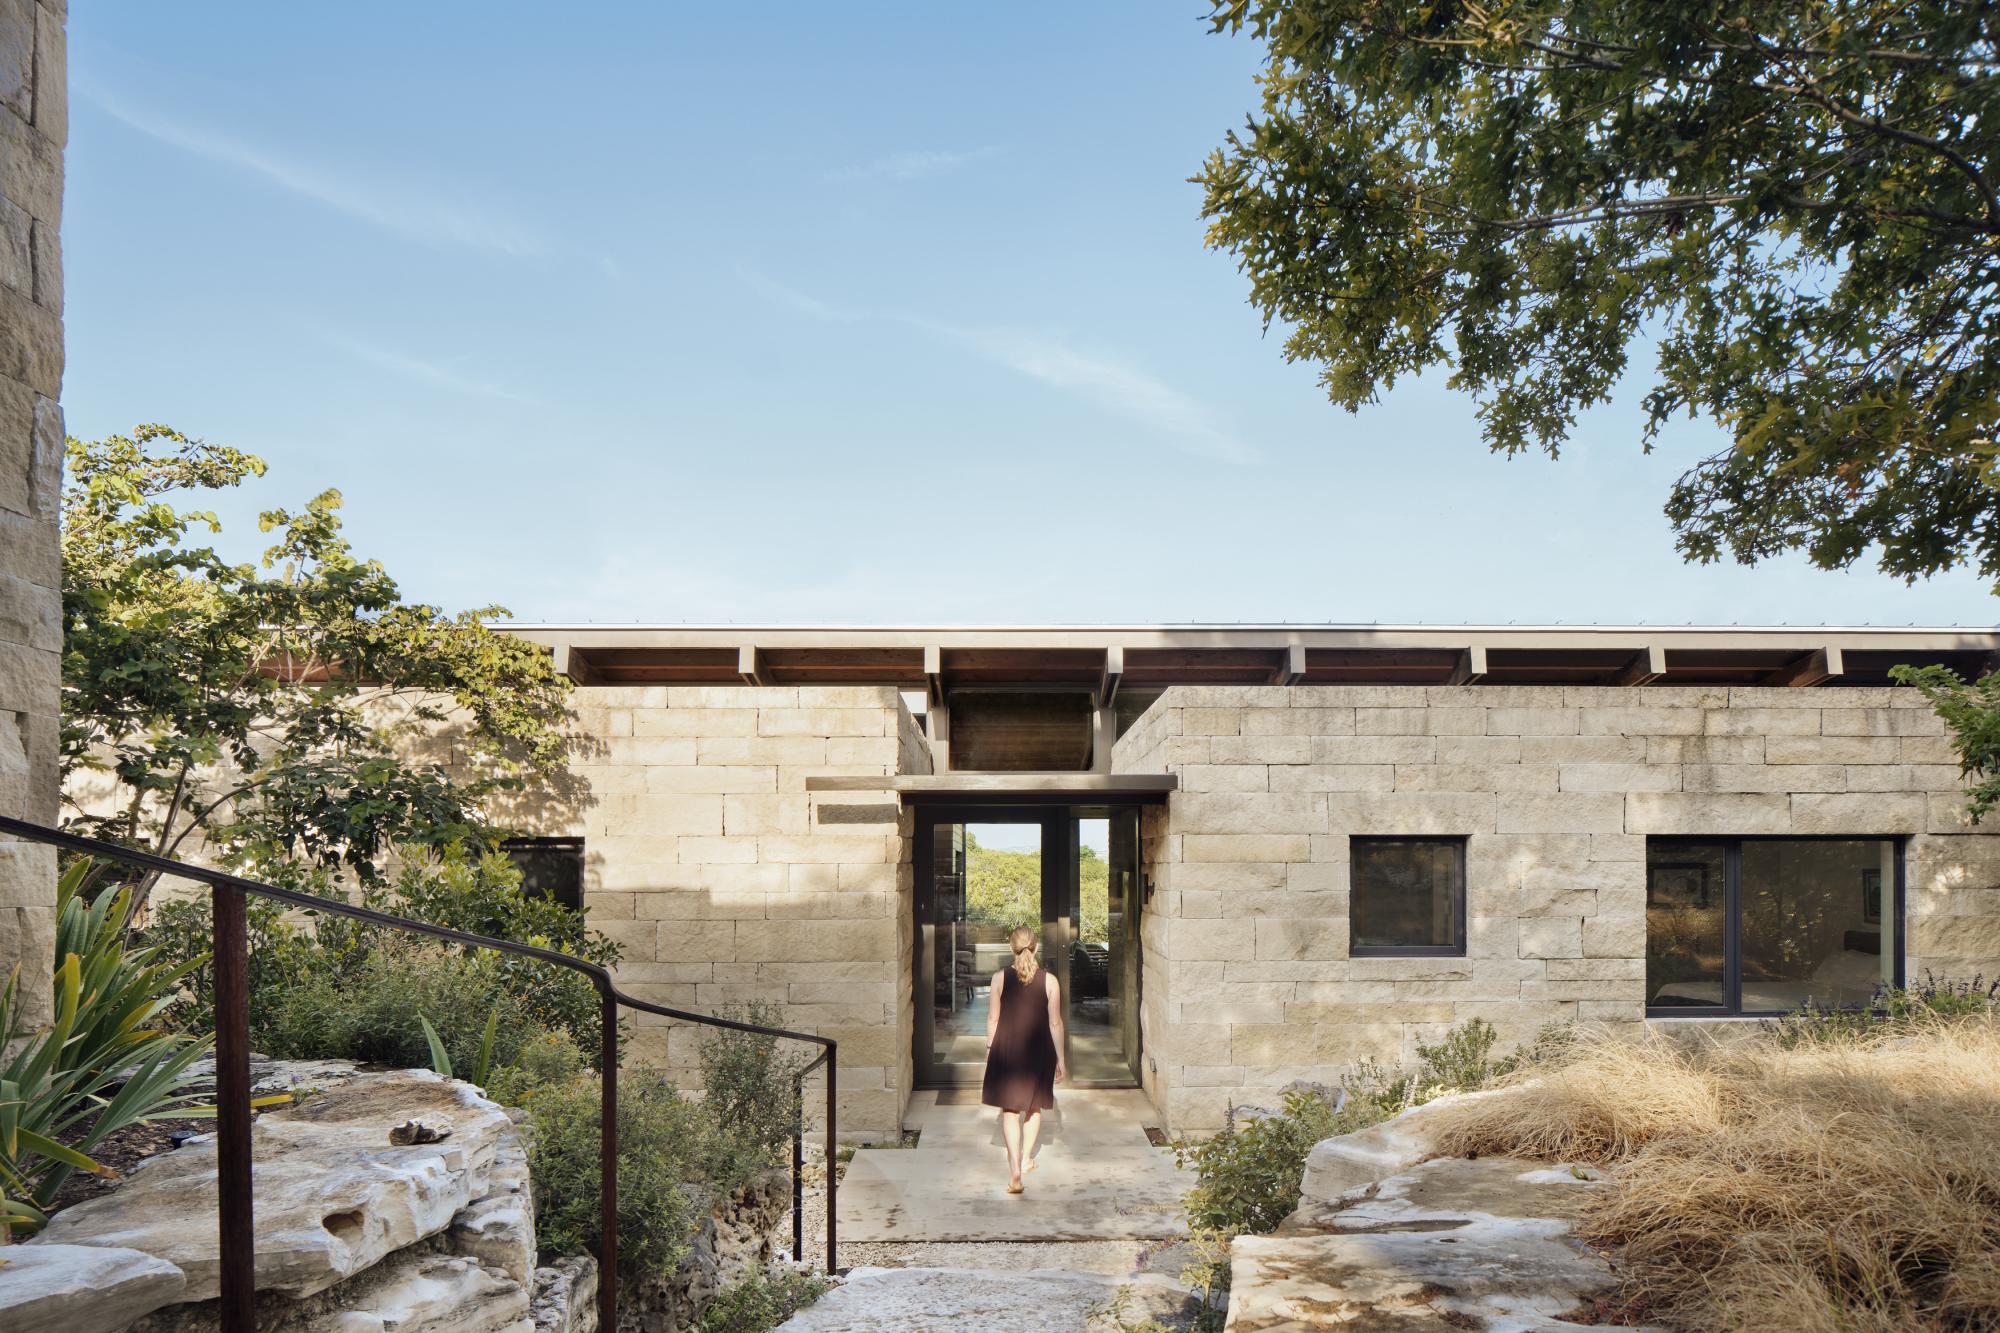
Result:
pixel 1407 898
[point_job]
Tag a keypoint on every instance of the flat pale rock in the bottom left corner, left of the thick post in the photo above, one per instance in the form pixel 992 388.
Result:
pixel 81 1288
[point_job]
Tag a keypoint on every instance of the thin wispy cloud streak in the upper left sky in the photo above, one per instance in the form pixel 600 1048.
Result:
pixel 397 207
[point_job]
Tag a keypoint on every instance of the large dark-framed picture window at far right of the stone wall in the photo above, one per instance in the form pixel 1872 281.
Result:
pixel 1765 926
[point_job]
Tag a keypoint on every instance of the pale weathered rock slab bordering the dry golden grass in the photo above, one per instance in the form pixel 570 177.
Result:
pixel 1487 1242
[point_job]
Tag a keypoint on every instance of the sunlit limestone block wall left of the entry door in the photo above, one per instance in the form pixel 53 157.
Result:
pixel 727 882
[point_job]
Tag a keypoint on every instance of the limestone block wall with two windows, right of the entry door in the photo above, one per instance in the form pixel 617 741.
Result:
pixel 1249 982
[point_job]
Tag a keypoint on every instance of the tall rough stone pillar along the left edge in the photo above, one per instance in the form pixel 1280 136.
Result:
pixel 33 131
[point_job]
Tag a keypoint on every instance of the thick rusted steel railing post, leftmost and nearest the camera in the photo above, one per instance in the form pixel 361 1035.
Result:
pixel 237 1234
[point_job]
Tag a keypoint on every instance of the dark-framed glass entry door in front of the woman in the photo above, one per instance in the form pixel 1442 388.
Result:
pixel 1073 876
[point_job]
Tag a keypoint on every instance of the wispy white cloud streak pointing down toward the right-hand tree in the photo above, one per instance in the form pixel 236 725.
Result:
pixel 1109 383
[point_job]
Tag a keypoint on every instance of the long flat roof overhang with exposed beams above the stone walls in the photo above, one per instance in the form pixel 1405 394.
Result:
pixel 1145 657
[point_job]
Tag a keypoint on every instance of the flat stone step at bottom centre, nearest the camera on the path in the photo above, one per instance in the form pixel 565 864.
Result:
pixel 987 1302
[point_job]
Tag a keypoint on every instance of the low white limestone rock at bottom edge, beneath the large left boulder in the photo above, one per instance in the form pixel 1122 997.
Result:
pixel 429 1294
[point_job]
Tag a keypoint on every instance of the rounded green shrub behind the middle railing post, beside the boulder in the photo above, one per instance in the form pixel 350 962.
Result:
pixel 665 1144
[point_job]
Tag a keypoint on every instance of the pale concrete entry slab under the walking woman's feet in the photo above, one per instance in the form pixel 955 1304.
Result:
pixel 1099 1178
